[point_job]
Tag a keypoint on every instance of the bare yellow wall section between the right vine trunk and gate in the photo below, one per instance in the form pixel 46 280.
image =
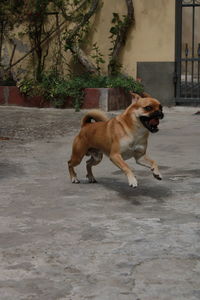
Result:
pixel 154 36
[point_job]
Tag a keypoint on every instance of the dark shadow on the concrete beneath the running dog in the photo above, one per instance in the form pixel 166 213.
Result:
pixel 146 189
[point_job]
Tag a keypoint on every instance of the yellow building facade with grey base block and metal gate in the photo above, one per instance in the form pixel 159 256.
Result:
pixel 162 49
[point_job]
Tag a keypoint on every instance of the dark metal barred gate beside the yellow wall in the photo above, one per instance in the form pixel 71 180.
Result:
pixel 187 65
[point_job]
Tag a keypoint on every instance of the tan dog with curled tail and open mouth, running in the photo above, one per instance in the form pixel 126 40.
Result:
pixel 120 138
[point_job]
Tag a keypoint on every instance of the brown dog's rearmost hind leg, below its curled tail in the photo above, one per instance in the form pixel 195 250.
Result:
pixel 78 152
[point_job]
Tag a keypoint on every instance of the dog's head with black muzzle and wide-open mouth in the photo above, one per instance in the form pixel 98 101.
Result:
pixel 148 110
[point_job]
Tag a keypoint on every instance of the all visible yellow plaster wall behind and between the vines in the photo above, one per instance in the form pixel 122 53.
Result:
pixel 152 39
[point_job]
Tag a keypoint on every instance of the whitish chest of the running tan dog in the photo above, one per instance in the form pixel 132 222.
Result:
pixel 130 145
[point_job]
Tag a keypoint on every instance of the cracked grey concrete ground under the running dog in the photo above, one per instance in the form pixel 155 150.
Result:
pixel 101 241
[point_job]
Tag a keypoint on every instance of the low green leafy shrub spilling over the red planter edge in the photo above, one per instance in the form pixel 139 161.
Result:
pixel 56 89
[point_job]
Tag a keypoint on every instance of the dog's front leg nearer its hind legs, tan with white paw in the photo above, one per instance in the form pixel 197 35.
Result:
pixel 120 163
